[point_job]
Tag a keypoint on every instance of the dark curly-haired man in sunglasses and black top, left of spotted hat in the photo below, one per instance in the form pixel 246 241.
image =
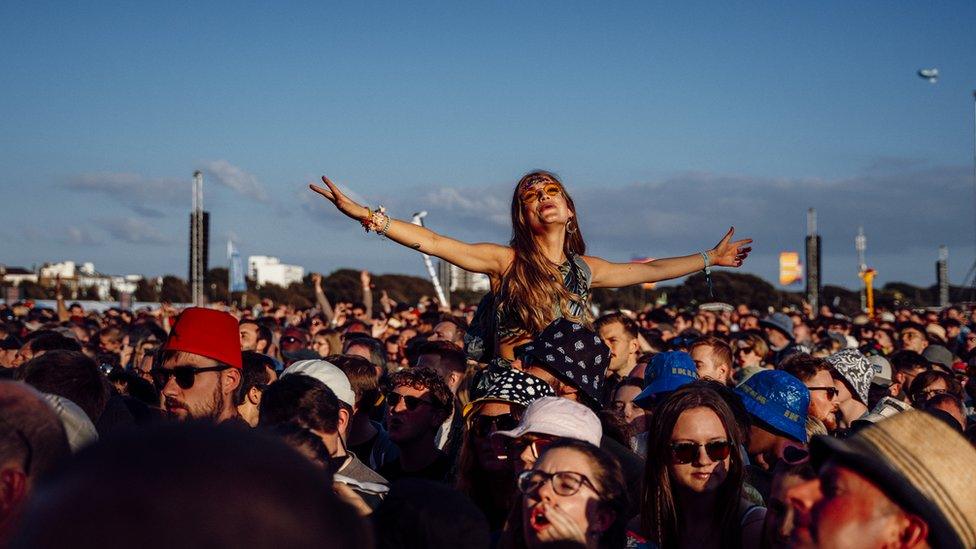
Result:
pixel 418 402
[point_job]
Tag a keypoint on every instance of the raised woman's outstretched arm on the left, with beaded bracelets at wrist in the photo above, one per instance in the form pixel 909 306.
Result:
pixel 491 259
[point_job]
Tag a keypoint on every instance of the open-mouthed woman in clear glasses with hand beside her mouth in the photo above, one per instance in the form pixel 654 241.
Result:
pixel 575 495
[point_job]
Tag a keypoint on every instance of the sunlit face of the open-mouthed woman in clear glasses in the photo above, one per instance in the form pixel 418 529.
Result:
pixel 583 508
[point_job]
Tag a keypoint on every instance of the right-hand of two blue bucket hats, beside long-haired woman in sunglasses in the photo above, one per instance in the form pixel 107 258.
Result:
pixel 779 400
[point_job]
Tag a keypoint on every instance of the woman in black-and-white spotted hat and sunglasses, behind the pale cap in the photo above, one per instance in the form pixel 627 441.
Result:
pixel 482 474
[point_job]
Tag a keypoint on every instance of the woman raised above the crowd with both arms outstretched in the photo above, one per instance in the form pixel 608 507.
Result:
pixel 542 274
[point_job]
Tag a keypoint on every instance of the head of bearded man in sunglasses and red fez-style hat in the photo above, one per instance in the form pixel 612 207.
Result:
pixel 201 367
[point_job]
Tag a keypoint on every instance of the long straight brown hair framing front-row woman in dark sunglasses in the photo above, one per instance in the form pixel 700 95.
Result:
pixel 660 515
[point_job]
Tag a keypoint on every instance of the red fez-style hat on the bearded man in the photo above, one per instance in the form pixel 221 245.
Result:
pixel 209 333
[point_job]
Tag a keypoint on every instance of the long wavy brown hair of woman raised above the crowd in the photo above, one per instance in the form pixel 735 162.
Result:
pixel 533 284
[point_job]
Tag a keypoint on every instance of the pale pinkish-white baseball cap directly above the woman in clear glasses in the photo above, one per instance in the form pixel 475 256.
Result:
pixel 558 417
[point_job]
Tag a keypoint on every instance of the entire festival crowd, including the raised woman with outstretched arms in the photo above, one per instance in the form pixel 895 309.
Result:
pixel 530 420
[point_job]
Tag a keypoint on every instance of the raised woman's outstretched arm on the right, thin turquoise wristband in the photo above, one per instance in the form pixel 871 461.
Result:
pixel 618 275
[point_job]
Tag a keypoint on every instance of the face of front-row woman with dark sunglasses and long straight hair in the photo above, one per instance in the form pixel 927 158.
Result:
pixel 703 474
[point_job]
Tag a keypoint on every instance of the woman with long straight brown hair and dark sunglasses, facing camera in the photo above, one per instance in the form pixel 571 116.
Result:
pixel 694 476
